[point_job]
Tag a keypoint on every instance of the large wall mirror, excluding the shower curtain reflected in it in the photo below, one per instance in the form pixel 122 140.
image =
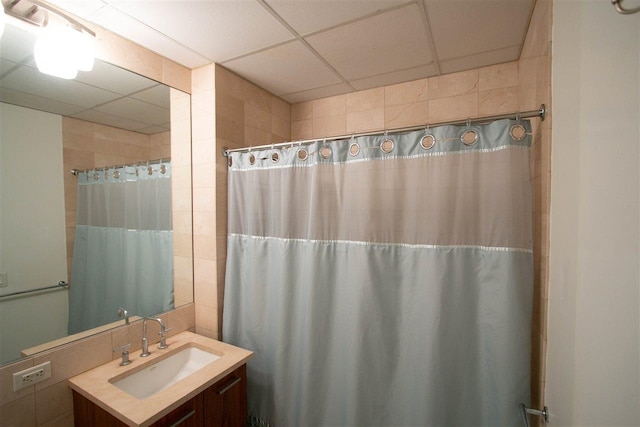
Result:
pixel 105 117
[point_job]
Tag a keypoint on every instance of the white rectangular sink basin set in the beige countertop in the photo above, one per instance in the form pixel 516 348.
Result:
pixel 165 372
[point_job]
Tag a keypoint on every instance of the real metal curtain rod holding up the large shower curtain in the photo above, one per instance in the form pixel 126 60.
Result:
pixel 541 112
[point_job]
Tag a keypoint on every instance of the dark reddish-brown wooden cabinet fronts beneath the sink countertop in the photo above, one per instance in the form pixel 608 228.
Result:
pixel 224 404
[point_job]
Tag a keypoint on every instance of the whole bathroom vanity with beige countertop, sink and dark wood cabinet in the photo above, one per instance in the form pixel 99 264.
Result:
pixel 196 381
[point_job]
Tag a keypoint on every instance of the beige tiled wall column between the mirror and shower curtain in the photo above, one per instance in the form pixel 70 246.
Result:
pixel 228 111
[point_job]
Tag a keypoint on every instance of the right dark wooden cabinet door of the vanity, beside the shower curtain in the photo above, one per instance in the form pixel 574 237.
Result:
pixel 226 401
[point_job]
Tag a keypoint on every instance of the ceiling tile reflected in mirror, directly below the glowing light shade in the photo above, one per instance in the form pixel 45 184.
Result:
pixel 30 80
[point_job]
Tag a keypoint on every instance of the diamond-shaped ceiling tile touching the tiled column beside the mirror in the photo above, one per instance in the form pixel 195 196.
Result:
pixel 288 68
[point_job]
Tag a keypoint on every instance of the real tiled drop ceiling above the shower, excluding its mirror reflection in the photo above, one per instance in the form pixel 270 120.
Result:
pixel 307 49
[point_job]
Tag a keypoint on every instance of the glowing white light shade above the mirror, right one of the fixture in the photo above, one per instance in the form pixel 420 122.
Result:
pixel 55 54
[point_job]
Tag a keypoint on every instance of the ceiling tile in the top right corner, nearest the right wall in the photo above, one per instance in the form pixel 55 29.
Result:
pixel 466 27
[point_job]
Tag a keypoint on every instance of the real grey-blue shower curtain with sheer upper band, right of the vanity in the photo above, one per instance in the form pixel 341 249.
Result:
pixel 384 280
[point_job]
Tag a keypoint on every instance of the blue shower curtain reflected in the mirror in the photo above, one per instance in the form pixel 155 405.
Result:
pixel 123 248
